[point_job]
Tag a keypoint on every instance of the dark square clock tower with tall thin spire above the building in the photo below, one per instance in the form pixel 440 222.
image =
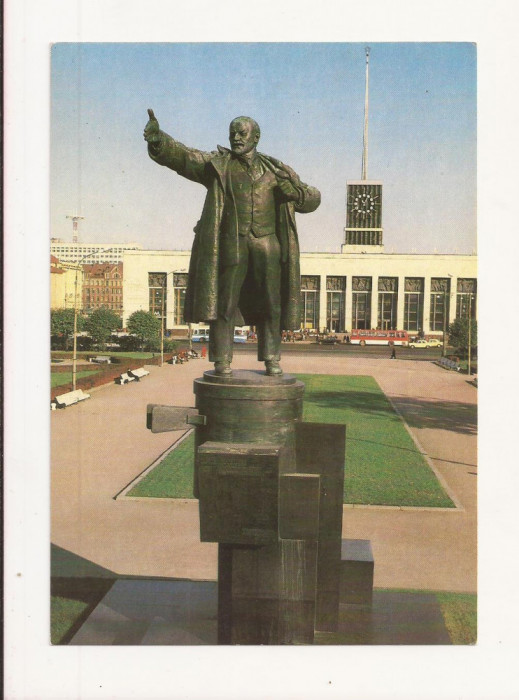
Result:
pixel 363 232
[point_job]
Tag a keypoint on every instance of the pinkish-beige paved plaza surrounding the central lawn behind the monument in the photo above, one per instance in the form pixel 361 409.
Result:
pixel 100 445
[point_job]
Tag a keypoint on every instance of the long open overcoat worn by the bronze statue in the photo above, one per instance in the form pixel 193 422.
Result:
pixel 215 246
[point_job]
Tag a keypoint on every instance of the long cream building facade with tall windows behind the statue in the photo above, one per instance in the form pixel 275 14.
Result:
pixel 339 291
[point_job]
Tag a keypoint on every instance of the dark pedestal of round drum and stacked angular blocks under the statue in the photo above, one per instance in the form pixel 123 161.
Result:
pixel 270 490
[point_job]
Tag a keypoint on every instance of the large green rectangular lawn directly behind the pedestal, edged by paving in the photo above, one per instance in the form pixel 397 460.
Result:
pixel 383 465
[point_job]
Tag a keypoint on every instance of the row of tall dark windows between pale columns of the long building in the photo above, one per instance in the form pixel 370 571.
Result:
pixel 361 291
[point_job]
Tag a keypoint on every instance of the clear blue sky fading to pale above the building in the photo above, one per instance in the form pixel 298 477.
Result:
pixel 309 101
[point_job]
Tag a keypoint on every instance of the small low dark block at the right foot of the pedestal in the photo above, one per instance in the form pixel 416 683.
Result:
pixel 357 567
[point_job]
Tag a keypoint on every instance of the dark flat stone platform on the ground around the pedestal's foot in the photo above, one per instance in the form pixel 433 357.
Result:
pixel 172 613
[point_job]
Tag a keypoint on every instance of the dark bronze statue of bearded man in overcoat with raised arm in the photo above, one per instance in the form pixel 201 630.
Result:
pixel 244 265
